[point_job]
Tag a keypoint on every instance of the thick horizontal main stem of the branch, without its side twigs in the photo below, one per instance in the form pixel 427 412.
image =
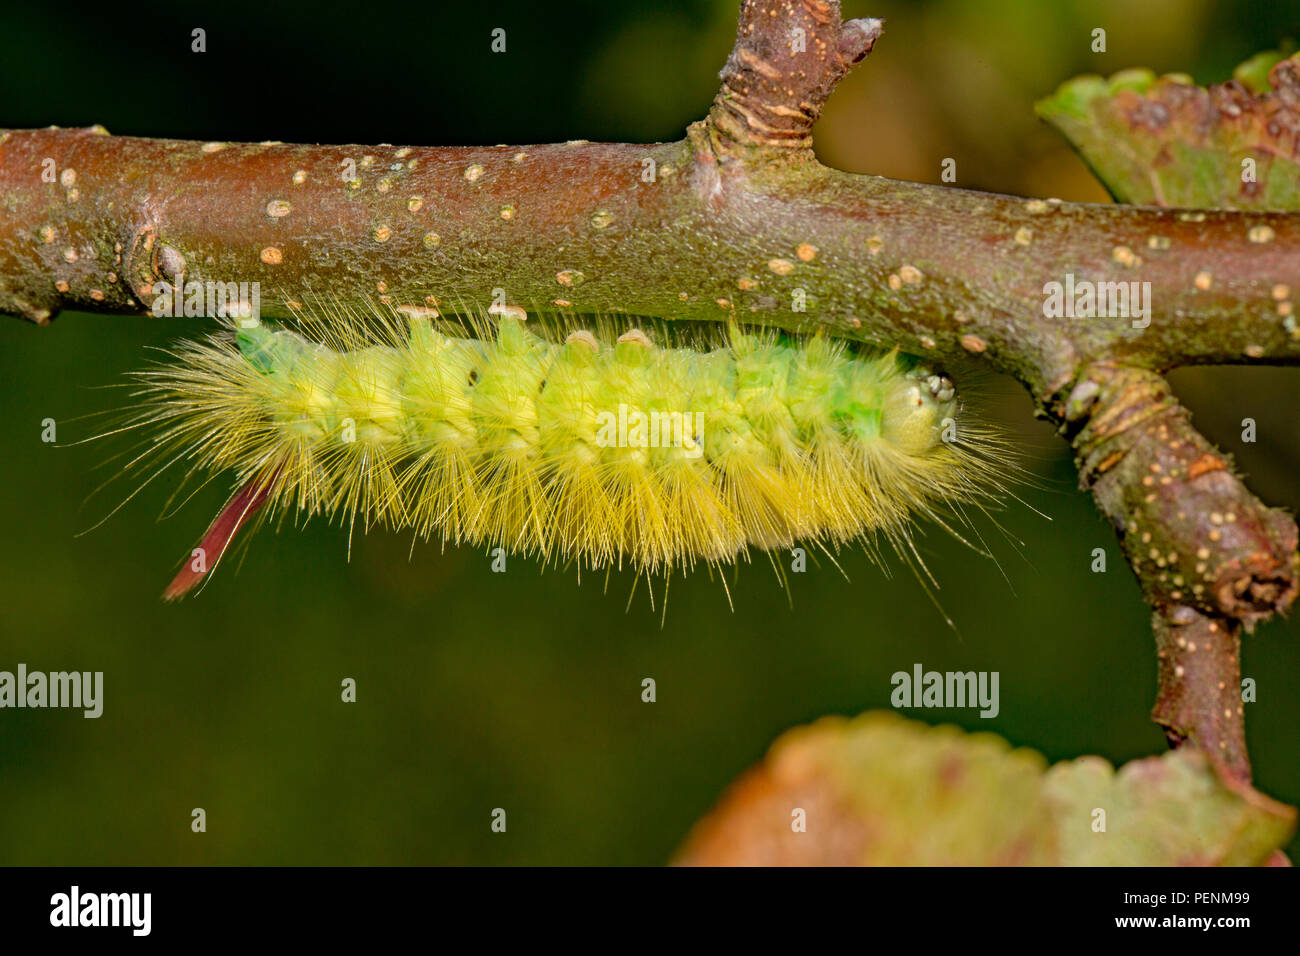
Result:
pixel 939 271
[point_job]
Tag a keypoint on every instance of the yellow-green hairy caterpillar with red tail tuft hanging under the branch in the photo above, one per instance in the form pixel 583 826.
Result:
pixel 600 447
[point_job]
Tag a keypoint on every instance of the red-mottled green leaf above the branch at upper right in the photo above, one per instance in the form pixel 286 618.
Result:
pixel 1167 142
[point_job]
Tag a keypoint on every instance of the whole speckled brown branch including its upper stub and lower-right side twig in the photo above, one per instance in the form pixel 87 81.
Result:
pixel 739 219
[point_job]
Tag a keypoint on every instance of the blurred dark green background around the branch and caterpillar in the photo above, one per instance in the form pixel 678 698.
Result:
pixel 523 690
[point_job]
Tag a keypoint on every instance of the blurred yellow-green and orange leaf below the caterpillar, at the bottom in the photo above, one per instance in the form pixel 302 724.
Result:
pixel 883 791
